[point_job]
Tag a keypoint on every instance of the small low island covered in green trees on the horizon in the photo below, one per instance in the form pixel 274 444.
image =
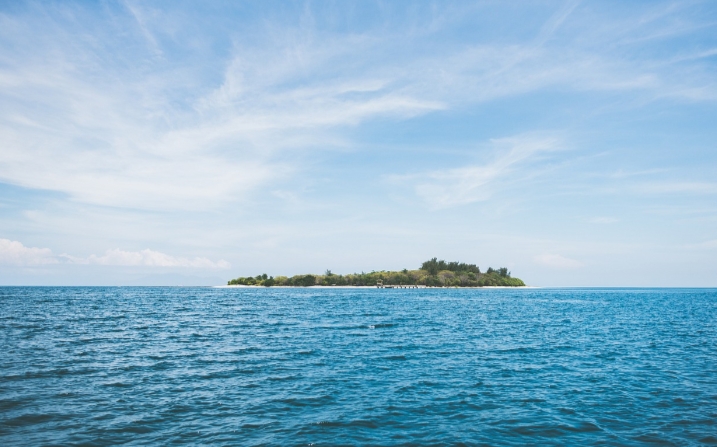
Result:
pixel 433 273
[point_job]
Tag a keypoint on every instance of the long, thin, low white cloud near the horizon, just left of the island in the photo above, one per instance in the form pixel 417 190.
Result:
pixel 147 258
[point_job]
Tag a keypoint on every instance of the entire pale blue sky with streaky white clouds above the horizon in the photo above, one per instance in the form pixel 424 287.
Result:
pixel 168 143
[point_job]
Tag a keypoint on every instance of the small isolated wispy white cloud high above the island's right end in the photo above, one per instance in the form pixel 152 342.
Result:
pixel 459 186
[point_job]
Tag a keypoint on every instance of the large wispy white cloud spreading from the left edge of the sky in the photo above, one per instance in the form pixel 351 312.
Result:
pixel 111 136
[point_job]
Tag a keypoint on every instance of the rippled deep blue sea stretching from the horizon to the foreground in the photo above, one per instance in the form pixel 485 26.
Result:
pixel 108 366
